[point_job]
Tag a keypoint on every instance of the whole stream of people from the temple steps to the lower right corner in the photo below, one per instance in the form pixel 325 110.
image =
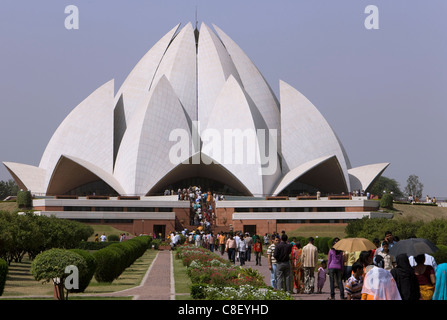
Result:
pixel 361 275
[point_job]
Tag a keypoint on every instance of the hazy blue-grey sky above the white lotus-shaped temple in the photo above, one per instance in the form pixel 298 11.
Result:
pixel 383 91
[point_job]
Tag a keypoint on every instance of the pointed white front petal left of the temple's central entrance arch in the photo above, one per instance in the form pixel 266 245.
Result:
pixel 144 157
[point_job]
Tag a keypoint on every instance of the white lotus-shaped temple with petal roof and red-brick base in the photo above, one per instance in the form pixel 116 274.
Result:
pixel 195 111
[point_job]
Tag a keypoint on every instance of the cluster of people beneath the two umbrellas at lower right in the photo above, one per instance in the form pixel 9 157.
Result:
pixel 378 275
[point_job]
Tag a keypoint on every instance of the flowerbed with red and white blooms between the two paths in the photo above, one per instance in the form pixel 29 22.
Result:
pixel 215 278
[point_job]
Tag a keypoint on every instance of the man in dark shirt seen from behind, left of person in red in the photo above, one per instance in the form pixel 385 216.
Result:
pixel 283 268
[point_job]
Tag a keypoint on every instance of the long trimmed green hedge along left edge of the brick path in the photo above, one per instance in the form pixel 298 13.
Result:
pixel 115 258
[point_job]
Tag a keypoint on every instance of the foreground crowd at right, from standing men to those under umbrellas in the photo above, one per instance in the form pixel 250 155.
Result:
pixel 362 275
